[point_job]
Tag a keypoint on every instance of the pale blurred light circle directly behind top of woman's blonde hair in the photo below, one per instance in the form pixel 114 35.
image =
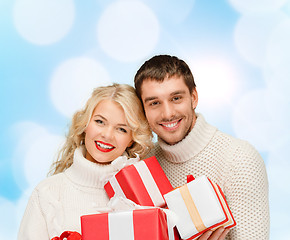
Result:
pixel 73 82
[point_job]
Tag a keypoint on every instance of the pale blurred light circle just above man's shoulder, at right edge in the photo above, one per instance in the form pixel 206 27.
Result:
pixel 254 117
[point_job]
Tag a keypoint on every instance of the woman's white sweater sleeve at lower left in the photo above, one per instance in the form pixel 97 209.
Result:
pixel 33 225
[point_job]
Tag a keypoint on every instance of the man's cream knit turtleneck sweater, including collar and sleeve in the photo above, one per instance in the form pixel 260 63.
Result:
pixel 233 164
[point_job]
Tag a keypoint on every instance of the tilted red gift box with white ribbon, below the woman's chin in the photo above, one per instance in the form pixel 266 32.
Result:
pixel 144 183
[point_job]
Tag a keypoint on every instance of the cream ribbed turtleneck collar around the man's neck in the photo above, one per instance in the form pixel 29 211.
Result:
pixel 192 144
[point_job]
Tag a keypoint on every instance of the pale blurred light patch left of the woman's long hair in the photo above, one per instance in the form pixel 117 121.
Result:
pixel 36 150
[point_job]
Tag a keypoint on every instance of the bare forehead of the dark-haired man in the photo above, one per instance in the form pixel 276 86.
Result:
pixel 152 88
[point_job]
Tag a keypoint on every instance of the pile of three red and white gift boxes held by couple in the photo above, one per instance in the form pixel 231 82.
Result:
pixel 199 205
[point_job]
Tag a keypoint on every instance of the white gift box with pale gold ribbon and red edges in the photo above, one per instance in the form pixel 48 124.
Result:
pixel 200 205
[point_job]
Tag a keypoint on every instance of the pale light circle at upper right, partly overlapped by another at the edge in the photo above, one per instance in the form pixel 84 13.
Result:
pixel 252 35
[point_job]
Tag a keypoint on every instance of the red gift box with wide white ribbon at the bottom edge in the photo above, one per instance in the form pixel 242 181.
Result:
pixel 139 224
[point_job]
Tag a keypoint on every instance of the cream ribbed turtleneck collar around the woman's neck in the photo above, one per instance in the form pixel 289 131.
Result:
pixel 86 173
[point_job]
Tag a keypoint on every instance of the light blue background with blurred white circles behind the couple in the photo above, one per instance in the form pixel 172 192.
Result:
pixel 53 52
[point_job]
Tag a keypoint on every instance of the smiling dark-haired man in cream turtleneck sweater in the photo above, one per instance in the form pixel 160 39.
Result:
pixel 187 144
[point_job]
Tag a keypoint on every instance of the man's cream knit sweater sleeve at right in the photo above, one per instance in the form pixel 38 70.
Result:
pixel 247 195
